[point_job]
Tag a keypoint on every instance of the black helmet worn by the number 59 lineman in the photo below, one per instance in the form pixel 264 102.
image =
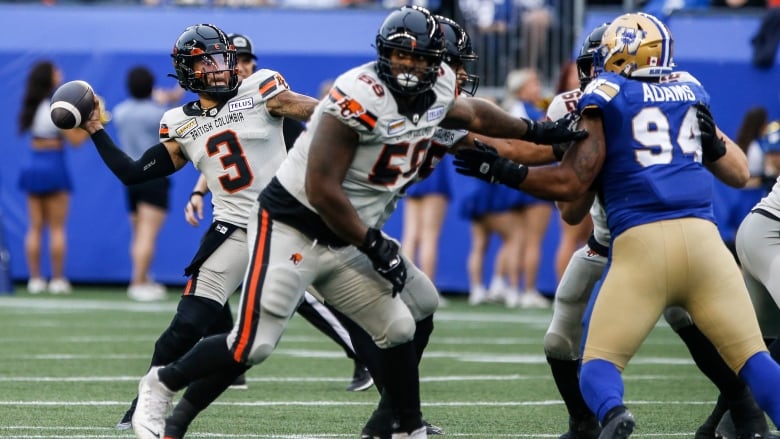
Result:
pixel 410 29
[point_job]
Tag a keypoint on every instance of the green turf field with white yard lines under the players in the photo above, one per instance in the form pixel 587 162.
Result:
pixel 69 365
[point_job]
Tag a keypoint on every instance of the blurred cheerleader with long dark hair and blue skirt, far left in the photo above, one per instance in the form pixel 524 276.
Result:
pixel 45 178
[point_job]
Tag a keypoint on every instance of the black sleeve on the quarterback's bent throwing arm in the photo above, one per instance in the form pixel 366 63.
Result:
pixel 156 161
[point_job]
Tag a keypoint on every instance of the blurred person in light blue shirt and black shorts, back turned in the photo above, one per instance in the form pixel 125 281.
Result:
pixel 137 122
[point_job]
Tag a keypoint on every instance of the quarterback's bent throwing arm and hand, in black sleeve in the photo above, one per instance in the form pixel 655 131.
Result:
pixel 158 161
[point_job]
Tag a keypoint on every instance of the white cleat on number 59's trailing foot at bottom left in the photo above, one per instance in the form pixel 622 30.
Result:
pixel 154 404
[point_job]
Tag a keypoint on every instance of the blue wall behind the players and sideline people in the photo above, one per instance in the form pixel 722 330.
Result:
pixel 99 44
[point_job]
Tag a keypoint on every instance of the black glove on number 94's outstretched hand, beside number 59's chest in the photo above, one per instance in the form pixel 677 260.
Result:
pixel 484 163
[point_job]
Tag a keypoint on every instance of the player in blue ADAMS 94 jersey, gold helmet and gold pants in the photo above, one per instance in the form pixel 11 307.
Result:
pixel 648 156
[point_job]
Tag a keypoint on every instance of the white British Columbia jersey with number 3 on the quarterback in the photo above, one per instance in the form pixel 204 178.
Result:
pixel 237 146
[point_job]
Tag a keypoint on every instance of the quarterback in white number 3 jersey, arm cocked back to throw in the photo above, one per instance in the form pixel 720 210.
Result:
pixel 233 135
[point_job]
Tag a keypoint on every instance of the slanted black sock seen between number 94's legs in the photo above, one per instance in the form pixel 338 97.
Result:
pixel 711 364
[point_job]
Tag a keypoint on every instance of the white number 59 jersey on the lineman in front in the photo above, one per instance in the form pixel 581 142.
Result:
pixel 392 147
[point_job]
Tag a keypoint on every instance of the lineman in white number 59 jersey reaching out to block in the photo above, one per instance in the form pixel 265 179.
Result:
pixel 319 221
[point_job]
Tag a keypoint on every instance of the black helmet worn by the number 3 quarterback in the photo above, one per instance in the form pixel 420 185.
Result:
pixel 205 42
